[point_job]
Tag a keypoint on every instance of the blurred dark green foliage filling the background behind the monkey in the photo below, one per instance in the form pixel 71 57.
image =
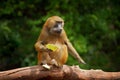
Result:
pixel 92 26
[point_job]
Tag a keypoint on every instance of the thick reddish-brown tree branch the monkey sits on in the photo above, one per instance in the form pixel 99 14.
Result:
pixel 65 73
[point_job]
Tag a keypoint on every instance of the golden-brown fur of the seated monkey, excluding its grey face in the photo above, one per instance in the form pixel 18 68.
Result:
pixel 49 36
